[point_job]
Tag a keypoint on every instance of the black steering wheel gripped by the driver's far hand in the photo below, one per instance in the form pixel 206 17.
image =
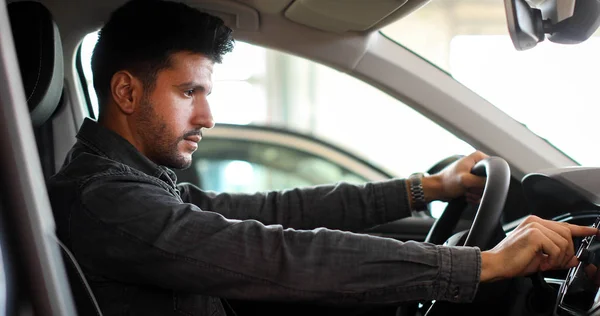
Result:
pixel 490 209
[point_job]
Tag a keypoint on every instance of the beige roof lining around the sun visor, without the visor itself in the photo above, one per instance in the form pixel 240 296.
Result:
pixel 264 18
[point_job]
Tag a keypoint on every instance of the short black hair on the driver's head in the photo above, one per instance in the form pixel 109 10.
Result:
pixel 141 35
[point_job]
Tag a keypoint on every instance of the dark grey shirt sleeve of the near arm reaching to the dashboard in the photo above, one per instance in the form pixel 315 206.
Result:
pixel 137 232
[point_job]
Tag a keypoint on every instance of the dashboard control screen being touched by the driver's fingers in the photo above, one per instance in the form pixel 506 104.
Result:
pixel 579 294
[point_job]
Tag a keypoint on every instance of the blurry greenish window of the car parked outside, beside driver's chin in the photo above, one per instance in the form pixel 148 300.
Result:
pixel 226 165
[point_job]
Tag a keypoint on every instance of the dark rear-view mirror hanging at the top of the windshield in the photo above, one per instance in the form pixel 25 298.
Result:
pixel 566 21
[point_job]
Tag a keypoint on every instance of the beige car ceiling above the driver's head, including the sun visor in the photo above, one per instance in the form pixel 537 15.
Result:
pixel 312 29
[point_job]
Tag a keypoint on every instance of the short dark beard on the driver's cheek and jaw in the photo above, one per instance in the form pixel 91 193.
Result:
pixel 161 146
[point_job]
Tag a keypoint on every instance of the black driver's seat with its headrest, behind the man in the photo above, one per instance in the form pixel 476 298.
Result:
pixel 39 50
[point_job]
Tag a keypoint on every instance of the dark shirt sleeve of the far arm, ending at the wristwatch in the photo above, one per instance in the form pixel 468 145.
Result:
pixel 341 206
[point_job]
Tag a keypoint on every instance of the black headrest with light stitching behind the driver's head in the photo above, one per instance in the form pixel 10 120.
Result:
pixel 40 55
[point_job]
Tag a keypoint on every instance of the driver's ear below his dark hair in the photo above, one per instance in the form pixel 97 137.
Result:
pixel 126 91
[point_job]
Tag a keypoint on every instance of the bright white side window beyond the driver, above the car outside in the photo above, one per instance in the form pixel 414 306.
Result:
pixel 281 90
